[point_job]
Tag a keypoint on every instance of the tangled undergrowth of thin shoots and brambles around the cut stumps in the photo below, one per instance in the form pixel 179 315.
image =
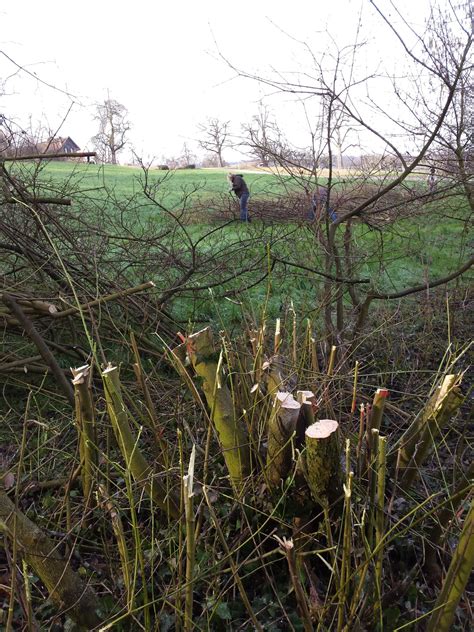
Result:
pixel 263 556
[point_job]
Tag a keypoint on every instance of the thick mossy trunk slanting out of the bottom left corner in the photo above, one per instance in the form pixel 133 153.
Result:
pixel 66 588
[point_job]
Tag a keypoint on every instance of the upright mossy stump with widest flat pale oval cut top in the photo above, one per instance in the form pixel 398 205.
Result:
pixel 323 464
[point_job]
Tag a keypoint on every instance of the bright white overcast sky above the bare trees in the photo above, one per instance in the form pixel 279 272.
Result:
pixel 160 59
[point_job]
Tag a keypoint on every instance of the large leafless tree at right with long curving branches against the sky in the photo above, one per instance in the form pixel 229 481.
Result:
pixel 429 109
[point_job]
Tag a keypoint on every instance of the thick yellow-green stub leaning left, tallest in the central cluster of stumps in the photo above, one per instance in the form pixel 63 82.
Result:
pixel 231 433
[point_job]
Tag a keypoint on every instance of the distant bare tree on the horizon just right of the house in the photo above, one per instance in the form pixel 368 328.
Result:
pixel 114 126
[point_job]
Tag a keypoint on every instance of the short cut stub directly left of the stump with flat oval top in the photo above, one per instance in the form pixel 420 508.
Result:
pixel 281 428
